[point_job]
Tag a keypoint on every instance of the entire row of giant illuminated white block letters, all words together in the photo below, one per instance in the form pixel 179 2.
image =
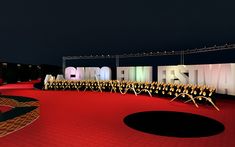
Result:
pixel 219 76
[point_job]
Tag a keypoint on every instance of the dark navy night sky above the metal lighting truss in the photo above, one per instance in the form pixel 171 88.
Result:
pixel 43 31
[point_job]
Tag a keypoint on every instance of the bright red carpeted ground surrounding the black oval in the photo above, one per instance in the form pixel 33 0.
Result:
pixel 71 118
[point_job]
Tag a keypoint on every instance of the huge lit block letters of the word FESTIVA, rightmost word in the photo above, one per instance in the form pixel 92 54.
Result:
pixel 219 76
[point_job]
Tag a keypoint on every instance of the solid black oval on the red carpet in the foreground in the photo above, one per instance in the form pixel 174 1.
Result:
pixel 173 124
